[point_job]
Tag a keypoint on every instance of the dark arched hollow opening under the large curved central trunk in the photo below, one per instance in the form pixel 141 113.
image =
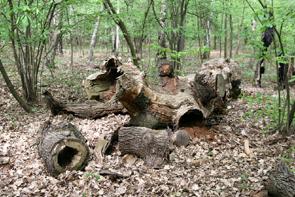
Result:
pixel 191 118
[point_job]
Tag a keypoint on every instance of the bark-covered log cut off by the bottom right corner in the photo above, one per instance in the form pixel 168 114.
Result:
pixel 281 182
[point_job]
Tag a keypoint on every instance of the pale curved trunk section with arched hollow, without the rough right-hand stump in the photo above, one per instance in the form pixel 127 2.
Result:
pixel 149 108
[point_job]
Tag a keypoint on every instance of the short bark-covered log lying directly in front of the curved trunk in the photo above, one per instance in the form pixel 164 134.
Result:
pixel 151 145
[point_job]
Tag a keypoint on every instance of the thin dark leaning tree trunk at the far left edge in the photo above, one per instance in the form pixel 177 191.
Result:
pixel 12 90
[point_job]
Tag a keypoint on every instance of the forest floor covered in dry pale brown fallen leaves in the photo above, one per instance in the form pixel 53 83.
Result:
pixel 207 167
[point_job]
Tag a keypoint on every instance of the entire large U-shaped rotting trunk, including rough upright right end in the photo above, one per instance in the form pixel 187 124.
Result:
pixel 181 103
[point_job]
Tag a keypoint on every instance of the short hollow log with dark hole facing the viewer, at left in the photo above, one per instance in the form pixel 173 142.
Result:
pixel 62 147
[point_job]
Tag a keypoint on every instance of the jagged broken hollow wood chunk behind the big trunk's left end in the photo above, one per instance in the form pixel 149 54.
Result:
pixel 101 85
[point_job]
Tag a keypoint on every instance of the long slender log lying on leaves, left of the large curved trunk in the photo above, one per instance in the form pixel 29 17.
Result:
pixel 89 109
